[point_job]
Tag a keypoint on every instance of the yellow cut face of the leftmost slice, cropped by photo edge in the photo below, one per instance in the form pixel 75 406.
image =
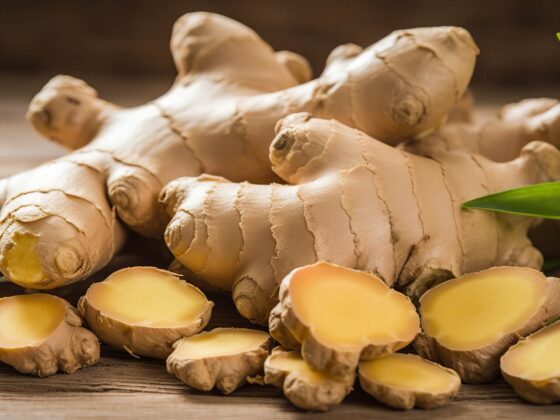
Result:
pixel 28 320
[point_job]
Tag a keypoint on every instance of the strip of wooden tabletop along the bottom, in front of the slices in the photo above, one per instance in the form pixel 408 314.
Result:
pixel 123 385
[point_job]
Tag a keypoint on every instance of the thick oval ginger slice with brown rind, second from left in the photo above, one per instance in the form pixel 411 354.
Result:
pixel 144 310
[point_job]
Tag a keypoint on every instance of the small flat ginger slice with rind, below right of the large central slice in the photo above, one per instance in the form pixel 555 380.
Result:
pixel 405 381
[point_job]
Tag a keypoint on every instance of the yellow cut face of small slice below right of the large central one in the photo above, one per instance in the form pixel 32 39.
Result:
pixel 409 372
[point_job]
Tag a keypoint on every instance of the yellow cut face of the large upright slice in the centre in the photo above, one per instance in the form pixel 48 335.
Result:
pixel 343 307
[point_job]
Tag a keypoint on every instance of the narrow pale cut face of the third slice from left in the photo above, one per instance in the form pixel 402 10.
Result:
pixel 220 342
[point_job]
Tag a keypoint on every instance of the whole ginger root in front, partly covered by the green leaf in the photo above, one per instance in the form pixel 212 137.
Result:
pixel 355 202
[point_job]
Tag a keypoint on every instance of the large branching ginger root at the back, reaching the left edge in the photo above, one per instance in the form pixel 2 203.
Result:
pixel 218 118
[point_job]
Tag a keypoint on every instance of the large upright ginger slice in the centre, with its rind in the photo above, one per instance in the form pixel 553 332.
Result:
pixel 341 316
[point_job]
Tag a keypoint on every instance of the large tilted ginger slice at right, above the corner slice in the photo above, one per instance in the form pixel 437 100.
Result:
pixel 470 321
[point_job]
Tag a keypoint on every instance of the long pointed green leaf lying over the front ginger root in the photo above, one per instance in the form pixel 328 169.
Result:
pixel 539 200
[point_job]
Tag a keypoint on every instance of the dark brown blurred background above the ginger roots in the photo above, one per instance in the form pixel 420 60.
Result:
pixel 121 47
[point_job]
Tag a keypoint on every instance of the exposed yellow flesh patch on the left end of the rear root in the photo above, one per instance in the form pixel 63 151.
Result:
pixel 22 263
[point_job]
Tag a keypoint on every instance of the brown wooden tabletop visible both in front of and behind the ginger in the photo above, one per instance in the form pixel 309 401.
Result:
pixel 122 386
